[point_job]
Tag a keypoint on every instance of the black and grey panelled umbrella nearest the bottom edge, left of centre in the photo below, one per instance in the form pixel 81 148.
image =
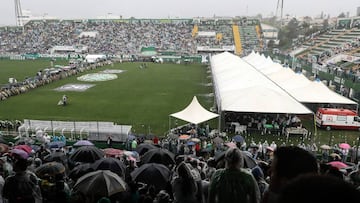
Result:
pixel 102 183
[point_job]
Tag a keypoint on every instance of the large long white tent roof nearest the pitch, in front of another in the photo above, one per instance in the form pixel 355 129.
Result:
pixel 240 87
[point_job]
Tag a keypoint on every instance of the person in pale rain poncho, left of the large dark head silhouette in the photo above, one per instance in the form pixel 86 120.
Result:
pixel 233 183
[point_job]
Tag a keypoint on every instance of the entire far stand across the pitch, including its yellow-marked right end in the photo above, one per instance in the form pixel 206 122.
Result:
pixel 127 36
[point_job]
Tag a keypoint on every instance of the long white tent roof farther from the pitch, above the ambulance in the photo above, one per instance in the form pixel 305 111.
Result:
pixel 295 84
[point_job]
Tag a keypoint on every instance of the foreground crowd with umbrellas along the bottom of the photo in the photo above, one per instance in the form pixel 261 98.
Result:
pixel 212 172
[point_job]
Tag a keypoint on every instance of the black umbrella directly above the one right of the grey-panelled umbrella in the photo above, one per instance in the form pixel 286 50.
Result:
pixel 161 156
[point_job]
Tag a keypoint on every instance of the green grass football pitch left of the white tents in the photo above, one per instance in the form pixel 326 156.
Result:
pixel 141 97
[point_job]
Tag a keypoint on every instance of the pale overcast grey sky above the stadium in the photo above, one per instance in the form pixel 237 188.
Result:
pixel 66 9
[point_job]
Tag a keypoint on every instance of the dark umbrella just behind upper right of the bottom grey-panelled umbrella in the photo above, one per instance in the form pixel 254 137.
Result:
pixel 112 164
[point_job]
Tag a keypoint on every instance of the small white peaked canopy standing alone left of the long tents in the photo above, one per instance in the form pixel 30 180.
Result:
pixel 194 113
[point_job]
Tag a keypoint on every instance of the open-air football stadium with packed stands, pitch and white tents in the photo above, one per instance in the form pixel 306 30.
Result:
pixel 202 86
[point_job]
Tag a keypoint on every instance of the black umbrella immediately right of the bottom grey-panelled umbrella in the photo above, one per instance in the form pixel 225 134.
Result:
pixel 152 174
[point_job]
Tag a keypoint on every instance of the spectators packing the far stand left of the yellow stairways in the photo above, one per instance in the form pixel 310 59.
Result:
pixel 111 38
